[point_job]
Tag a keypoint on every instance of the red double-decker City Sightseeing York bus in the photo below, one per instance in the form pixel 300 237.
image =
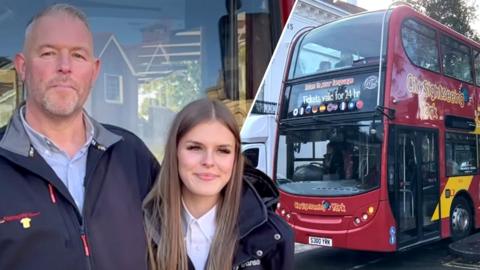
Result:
pixel 377 145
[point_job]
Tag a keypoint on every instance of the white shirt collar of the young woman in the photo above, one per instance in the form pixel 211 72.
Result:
pixel 207 222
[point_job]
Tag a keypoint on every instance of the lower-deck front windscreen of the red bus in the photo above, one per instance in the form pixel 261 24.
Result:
pixel 329 161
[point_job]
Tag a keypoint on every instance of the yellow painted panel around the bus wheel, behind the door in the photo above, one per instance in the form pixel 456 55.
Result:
pixel 454 185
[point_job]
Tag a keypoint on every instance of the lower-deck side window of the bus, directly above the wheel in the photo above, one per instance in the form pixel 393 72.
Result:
pixel 461 154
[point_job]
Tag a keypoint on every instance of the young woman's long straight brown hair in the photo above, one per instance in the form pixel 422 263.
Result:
pixel 164 200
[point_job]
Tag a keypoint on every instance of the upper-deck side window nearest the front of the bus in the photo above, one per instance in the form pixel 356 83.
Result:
pixel 420 46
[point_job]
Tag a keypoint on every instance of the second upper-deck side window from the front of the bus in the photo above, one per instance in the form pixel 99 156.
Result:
pixel 456 59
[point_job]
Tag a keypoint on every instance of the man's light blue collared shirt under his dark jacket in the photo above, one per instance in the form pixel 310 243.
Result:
pixel 70 170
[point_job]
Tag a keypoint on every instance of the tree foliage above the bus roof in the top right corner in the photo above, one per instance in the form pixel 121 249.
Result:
pixel 456 14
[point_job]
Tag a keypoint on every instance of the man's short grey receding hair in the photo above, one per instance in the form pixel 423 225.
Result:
pixel 64 9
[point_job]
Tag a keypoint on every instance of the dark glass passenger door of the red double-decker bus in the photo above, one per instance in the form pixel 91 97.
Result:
pixel 414 184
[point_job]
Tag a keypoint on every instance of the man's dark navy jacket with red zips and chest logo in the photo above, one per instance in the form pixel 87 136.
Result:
pixel 41 227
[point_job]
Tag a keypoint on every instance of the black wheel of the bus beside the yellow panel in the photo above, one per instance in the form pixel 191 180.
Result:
pixel 460 219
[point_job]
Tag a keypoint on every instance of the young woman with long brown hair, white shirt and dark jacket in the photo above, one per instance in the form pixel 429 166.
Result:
pixel 201 214
